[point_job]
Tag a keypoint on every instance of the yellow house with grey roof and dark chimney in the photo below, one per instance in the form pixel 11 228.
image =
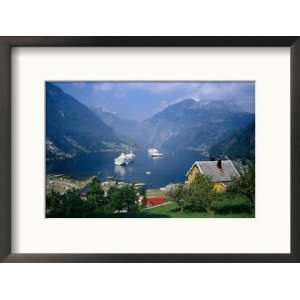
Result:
pixel 221 173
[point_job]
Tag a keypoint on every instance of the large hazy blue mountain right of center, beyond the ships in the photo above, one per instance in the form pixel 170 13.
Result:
pixel 195 124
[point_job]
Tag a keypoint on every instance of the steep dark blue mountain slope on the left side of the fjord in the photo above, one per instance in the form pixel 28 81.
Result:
pixel 72 128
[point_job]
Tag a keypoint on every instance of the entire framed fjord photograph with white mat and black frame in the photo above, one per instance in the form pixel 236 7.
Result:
pixel 149 149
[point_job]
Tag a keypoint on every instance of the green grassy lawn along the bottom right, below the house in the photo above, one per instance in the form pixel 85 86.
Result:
pixel 170 211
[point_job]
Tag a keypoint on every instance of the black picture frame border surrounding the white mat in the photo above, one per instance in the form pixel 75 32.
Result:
pixel 7 43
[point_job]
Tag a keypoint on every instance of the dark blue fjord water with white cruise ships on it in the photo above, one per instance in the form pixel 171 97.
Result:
pixel 170 168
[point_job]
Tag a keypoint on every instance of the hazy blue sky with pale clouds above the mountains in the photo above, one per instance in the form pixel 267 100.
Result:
pixel 141 100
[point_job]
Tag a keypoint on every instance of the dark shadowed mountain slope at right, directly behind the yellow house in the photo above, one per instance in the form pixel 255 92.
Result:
pixel 240 145
